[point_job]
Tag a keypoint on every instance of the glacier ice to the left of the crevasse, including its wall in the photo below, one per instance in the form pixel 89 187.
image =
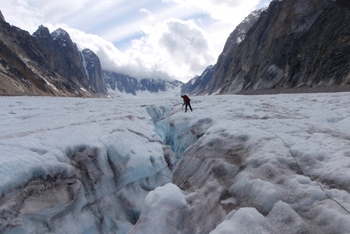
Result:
pixel 102 153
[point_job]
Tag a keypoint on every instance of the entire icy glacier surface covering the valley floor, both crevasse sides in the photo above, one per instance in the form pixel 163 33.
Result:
pixel 71 165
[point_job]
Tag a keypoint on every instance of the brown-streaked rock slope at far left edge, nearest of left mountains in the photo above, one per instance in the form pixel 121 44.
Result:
pixel 16 72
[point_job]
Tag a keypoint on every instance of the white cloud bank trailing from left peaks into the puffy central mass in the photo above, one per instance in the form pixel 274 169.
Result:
pixel 173 49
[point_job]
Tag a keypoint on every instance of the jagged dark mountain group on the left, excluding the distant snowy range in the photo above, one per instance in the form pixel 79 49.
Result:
pixel 43 64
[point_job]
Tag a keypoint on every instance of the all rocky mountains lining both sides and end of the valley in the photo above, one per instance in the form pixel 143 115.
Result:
pixel 291 46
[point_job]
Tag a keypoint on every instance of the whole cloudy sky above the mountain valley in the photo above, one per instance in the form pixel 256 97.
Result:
pixel 166 39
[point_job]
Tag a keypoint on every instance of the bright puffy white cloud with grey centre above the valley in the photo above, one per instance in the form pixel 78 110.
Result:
pixel 173 49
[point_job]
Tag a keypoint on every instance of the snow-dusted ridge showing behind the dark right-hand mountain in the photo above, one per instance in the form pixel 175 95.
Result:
pixel 199 85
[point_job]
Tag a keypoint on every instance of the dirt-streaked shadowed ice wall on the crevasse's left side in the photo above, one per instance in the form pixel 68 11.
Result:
pixel 103 194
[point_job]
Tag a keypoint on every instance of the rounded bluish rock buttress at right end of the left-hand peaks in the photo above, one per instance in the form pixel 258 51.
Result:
pixel 92 65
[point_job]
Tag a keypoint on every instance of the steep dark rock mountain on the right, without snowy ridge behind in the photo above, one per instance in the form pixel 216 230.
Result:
pixel 294 44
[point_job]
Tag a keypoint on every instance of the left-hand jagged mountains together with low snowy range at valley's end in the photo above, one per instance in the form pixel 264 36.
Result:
pixel 51 64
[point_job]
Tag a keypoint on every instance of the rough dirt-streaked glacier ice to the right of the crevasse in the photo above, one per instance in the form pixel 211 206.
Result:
pixel 243 156
